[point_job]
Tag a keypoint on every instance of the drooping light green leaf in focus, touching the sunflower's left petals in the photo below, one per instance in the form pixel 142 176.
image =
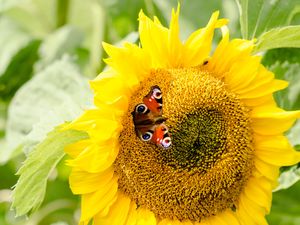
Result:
pixel 30 189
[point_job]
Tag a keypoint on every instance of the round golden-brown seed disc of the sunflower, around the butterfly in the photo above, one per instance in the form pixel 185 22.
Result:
pixel 211 157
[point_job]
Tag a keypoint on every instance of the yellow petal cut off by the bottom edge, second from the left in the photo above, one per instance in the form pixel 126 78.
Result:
pixel 117 214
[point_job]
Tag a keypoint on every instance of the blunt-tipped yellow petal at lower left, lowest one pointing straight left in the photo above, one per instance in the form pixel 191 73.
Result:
pixel 82 182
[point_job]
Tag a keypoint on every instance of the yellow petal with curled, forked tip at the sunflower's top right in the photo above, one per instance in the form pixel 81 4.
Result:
pixel 198 46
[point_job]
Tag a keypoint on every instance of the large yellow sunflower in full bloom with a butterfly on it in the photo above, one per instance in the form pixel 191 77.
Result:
pixel 224 129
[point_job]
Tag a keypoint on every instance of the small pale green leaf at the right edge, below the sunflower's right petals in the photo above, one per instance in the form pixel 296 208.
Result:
pixel 288 178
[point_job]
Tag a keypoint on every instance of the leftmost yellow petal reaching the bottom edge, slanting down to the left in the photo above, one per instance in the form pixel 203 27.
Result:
pixel 93 203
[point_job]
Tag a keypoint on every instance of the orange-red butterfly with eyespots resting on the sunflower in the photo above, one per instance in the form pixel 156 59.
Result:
pixel 148 120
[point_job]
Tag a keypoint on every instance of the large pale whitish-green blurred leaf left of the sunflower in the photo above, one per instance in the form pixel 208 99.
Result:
pixel 56 94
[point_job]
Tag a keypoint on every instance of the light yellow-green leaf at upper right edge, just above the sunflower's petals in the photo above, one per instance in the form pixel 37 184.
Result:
pixel 288 36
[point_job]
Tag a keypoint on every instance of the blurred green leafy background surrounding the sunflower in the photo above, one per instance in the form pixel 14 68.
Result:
pixel 50 49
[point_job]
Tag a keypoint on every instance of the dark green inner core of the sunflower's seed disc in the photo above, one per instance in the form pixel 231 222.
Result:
pixel 199 139
